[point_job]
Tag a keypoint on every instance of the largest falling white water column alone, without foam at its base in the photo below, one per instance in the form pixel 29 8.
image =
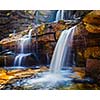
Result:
pixel 62 50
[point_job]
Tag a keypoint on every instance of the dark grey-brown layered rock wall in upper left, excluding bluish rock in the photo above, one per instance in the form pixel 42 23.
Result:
pixel 14 21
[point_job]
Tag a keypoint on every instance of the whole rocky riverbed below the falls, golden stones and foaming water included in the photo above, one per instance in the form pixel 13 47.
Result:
pixel 37 79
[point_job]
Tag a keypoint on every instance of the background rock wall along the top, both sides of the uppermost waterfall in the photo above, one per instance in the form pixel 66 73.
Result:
pixel 13 21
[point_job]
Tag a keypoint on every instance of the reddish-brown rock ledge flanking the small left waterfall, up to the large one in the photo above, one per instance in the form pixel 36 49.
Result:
pixel 44 38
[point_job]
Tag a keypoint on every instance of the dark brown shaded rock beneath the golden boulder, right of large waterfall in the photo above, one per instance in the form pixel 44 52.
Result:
pixel 86 45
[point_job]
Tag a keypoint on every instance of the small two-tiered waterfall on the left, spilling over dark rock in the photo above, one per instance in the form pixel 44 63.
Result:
pixel 23 43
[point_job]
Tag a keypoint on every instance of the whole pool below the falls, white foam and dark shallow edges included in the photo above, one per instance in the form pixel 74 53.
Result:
pixel 53 81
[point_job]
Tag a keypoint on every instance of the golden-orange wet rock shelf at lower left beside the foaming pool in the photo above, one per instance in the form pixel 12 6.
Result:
pixel 17 75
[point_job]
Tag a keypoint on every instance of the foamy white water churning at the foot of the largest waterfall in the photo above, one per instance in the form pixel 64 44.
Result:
pixel 48 80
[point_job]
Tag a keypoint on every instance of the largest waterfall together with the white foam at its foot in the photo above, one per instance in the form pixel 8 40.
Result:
pixel 56 77
